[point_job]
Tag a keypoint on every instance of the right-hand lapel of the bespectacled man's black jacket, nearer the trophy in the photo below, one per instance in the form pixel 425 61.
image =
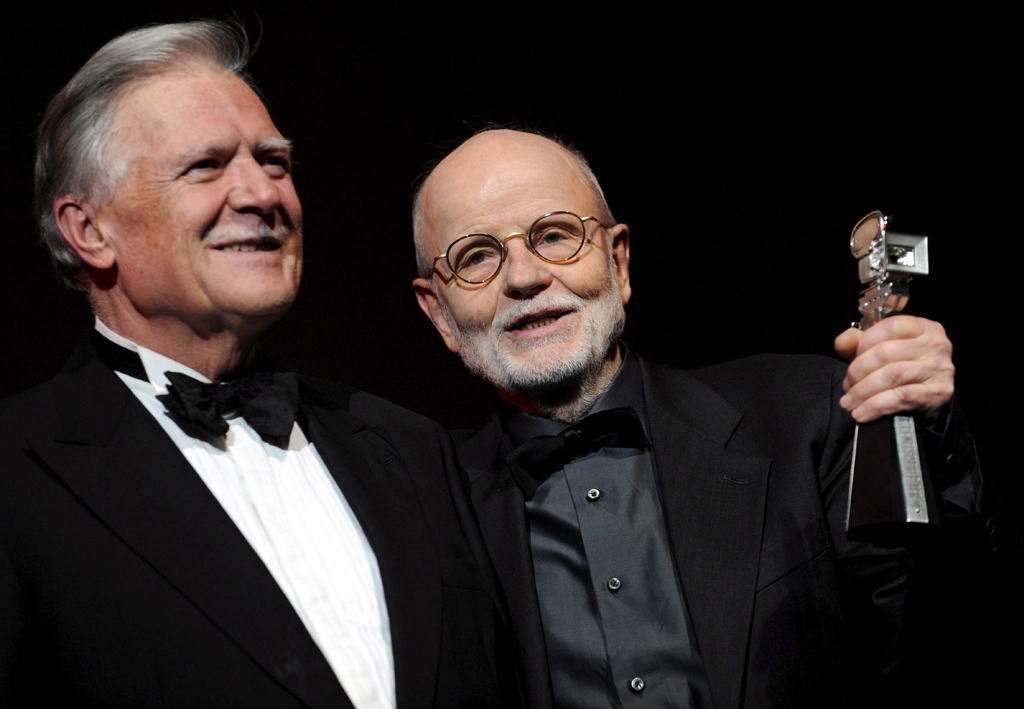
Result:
pixel 714 502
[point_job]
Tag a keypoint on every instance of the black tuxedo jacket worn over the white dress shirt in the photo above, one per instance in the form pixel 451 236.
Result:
pixel 124 583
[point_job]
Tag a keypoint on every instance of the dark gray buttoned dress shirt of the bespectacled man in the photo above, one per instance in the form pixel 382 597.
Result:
pixel 616 625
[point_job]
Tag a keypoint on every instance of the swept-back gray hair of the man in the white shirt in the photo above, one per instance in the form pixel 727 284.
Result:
pixel 73 141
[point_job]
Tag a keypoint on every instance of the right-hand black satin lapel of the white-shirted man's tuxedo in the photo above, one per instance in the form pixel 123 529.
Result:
pixel 378 489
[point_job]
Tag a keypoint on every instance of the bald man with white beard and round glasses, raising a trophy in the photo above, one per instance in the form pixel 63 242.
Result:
pixel 664 538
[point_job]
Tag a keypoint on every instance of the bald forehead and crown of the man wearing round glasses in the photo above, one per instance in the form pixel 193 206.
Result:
pixel 500 184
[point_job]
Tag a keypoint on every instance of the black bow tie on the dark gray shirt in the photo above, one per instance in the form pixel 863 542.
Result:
pixel 534 463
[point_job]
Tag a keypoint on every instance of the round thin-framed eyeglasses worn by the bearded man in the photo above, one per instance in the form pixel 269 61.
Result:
pixel 556 238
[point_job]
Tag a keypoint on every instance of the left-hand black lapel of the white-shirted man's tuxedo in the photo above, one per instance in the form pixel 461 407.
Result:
pixel 120 464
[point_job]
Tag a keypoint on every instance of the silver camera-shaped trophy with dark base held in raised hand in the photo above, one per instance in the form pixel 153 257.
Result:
pixel 889 482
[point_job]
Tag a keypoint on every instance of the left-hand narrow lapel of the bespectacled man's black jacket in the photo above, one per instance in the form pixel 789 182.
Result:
pixel 501 510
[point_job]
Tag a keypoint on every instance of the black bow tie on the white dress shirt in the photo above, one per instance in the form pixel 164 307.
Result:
pixel 268 401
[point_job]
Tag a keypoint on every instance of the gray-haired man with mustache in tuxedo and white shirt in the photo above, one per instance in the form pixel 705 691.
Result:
pixel 182 524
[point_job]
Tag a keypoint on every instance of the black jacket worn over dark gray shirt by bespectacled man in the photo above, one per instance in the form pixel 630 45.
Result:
pixel 753 461
